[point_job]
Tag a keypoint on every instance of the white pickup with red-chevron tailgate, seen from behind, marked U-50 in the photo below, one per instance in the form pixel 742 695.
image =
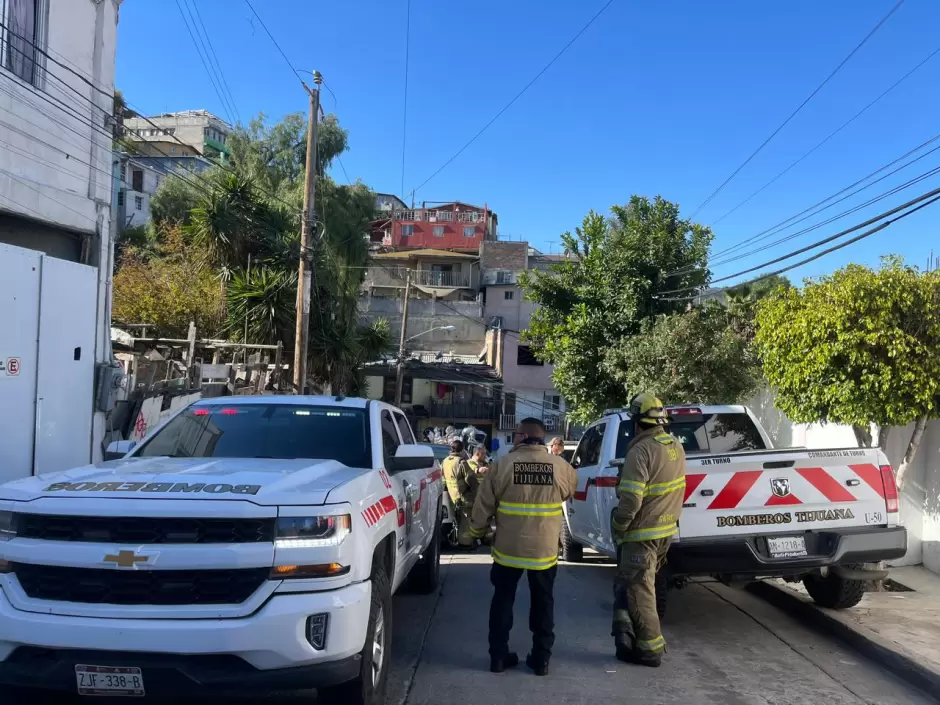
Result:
pixel 826 517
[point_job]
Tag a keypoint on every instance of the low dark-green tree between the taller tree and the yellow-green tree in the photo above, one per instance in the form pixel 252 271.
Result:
pixel 696 357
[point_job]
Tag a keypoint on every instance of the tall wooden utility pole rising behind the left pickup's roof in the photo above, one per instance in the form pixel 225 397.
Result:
pixel 305 266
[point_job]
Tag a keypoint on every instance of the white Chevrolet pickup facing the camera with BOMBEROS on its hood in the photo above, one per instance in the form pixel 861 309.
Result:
pixel 249 543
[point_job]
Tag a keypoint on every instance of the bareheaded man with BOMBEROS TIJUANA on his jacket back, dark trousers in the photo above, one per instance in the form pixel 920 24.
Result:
pixel 524 491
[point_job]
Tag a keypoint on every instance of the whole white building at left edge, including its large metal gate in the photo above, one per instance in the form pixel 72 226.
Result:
pixel 56 246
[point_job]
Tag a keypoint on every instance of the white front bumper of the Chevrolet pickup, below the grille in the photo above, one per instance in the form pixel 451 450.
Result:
pixel 267 651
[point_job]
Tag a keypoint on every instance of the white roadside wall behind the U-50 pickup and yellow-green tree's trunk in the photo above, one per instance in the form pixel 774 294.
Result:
pixel 920 494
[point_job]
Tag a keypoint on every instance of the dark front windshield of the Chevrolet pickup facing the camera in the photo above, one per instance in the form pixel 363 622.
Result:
pixel 277 431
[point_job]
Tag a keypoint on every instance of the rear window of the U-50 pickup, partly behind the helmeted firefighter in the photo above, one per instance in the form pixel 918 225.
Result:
pixel 707 433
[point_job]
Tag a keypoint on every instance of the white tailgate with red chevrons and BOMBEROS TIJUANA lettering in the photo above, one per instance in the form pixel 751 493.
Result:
pixel 782 492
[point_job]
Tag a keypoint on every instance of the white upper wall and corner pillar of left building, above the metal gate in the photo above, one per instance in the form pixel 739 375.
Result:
pixel 56 160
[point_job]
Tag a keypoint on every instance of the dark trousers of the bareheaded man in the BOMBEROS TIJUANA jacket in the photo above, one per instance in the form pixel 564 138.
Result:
pixel 541 612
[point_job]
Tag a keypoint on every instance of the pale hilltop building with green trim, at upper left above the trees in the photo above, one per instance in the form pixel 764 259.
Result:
pixel 182 134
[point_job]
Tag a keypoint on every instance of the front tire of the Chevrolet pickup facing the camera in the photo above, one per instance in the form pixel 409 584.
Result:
pixel 368 688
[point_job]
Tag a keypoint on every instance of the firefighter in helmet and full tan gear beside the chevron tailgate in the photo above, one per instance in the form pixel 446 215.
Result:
pixel 651 492
